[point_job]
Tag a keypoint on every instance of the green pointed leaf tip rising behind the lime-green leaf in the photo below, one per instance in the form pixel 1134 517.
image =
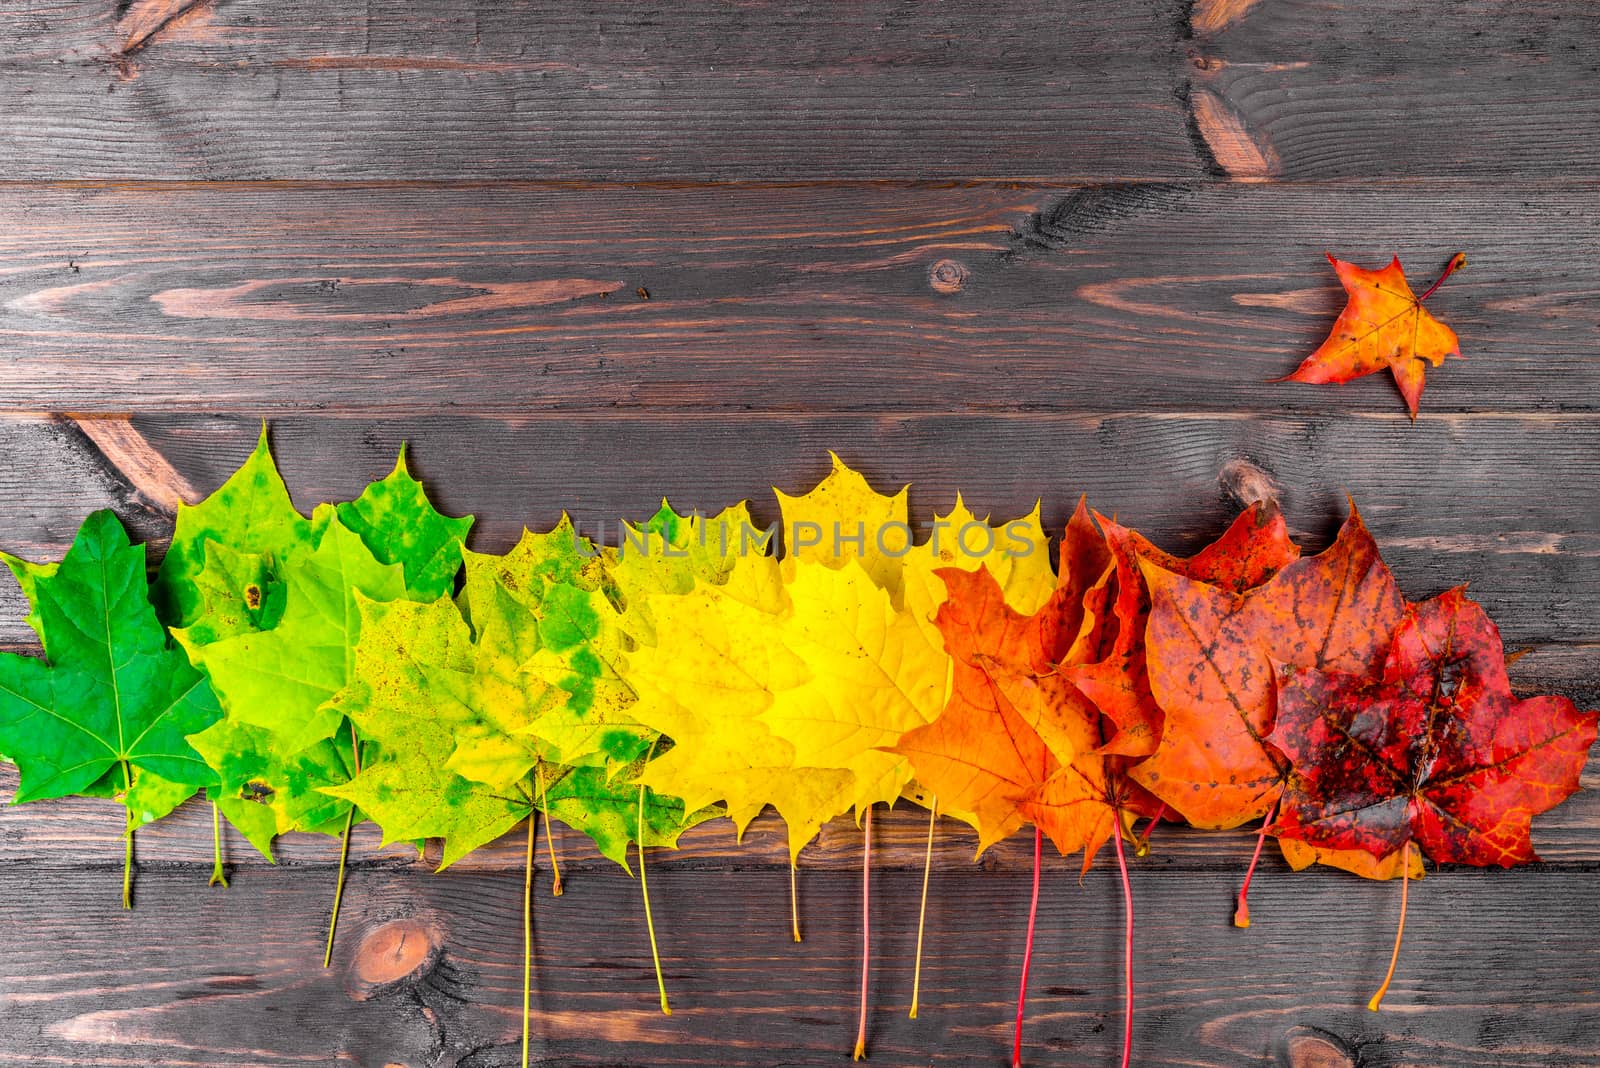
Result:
pixel 401 525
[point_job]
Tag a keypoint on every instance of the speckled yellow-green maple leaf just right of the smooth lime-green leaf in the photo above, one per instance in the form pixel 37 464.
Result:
pixel 409 691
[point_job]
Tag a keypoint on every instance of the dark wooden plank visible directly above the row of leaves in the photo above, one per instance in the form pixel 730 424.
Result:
pixel 1505 503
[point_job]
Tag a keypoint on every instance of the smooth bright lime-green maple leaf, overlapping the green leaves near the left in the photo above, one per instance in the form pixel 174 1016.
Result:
pixel 284 679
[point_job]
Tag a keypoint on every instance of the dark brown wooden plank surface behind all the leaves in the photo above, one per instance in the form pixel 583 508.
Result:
pixel 585 253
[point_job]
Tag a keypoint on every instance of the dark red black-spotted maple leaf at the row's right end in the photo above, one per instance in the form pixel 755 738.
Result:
pixel 1431 751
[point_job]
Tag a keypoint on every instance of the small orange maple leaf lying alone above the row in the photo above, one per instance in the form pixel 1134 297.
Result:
pixel 1383 325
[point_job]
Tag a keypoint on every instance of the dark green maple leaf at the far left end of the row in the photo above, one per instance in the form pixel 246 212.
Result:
pixel 110 693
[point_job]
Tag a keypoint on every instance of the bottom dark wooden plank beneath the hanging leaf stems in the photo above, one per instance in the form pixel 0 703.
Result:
pixel 428 971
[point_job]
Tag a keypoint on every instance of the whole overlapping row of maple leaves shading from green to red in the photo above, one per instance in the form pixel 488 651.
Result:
pixel 327 671
